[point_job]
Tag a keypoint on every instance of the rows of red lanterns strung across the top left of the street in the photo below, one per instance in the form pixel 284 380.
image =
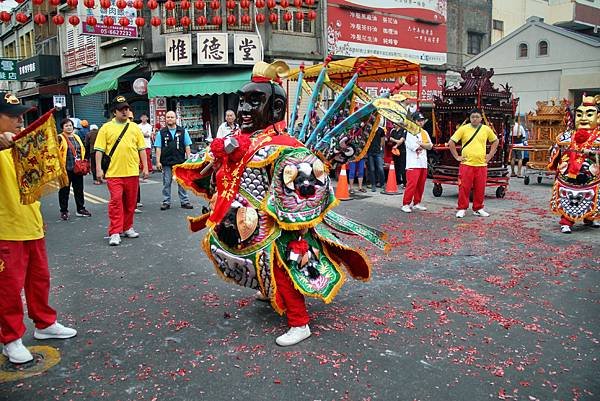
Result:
pixel 170 6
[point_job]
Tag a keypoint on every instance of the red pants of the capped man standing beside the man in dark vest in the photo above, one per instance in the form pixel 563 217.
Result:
pixel 123 200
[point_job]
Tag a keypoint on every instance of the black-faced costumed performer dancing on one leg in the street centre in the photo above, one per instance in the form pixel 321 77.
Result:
pixel 268 195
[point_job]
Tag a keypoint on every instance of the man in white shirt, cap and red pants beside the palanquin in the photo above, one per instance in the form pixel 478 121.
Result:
pixel 416 166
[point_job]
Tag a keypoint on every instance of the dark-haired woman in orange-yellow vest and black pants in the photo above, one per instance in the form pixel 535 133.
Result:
pixel 71 148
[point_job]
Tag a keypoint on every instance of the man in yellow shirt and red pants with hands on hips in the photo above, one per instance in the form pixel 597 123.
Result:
pixel 472 172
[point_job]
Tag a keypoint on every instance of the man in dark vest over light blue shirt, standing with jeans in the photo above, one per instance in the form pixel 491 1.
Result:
pixel 172 147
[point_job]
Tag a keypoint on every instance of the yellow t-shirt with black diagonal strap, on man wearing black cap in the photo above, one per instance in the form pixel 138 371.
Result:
pixel 125 161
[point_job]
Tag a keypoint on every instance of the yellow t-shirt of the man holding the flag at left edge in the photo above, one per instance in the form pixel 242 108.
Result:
pixel 17 222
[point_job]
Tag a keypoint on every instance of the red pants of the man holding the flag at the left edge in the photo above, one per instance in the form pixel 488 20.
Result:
pixel 23 265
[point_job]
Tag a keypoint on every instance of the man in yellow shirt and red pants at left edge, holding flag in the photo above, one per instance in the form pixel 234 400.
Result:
pixel 23 258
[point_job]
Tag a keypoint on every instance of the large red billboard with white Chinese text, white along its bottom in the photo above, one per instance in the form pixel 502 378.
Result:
pixel 411 29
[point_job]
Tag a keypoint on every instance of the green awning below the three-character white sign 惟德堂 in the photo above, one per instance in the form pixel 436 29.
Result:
pixel 169 84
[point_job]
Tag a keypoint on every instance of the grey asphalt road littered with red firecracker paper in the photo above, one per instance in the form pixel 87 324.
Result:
pixel 473 309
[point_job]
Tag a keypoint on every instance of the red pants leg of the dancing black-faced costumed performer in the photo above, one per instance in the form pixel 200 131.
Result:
pixel 290 298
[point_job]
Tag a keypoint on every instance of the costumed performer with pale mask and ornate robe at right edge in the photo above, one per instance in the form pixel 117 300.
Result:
pixel 575 157
